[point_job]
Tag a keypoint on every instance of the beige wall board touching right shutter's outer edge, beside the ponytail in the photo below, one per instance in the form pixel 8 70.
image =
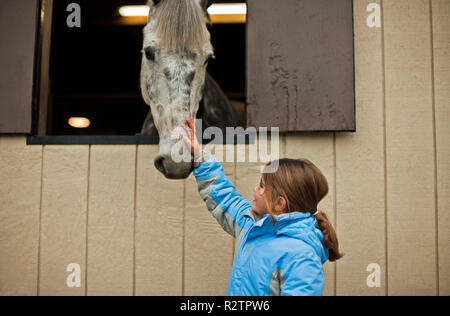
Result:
pixel 360 181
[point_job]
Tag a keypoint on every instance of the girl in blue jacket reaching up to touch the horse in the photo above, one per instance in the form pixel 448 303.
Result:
pixel 282 240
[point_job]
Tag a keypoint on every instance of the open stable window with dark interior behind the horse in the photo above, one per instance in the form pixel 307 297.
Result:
pixel 89 80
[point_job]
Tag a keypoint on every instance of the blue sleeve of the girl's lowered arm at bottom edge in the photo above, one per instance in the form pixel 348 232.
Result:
pixel 303 276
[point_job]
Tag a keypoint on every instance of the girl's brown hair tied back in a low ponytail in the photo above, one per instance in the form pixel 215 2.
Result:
pixel 303 186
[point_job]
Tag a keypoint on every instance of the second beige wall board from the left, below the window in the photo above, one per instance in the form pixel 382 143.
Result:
pixel 64 212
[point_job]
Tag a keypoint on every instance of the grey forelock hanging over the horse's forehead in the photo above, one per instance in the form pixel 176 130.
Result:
pixel 180 25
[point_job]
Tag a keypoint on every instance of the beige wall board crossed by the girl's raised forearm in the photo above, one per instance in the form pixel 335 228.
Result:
pixel 208 248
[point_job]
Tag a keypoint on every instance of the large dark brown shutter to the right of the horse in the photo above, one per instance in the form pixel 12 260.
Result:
pixel 300 65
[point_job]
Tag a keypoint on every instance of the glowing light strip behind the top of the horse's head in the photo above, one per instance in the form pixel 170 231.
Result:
pixel 215 9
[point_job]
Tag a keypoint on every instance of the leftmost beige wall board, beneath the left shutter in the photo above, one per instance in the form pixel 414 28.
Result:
pixel 20 197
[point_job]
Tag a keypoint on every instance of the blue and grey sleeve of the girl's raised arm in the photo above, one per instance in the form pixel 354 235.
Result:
pixel 222 200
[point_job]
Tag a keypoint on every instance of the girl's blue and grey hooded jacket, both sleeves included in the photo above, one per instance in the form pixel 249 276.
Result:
pixel 285 258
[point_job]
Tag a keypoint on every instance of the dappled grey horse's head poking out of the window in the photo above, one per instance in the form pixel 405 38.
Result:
pixel 176 52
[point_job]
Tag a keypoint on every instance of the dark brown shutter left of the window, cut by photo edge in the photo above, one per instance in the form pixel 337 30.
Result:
pixel 17 37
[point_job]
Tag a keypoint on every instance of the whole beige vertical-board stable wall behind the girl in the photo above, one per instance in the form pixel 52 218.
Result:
pixel 133 232
